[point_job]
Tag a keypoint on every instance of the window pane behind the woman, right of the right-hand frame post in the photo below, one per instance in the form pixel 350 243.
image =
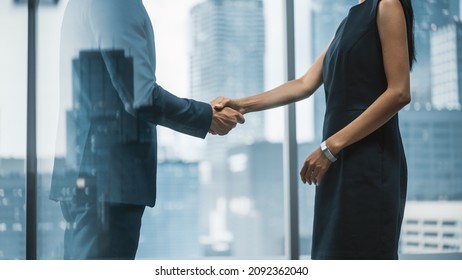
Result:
pixel 430 125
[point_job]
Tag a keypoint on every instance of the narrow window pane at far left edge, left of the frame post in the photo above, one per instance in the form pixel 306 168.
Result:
pixel 13 108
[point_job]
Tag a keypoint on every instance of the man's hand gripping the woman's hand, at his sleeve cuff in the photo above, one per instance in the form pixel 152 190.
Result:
pixel 225 120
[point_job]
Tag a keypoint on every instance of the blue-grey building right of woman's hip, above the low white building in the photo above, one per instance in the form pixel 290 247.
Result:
pixel 434 156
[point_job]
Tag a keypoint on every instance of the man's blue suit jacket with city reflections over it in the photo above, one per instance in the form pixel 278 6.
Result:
pixel 111 104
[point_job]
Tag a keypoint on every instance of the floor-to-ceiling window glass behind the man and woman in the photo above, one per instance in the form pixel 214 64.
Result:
pixel 217 196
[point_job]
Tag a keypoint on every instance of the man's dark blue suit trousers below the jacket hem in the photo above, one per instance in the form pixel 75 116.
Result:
pixel 101 230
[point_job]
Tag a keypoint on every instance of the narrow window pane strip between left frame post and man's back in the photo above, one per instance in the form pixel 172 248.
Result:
pixel 51 225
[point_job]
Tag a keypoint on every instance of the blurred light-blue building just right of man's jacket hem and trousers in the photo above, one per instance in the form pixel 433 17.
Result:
pixel 172 228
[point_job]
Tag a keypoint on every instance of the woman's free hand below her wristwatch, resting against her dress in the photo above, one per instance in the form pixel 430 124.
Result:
pixel 315 167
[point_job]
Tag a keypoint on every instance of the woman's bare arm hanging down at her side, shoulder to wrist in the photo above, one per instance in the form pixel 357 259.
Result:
pixel 392 30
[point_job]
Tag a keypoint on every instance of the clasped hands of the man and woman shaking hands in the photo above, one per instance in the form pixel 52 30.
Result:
pixel 227 113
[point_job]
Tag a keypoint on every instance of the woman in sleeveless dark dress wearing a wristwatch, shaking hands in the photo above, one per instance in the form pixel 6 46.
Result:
pixel 360 168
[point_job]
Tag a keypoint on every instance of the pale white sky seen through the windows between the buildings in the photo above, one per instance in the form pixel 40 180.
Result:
pixel 170 21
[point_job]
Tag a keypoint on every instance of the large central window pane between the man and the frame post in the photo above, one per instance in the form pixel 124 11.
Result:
pixel 221 197
